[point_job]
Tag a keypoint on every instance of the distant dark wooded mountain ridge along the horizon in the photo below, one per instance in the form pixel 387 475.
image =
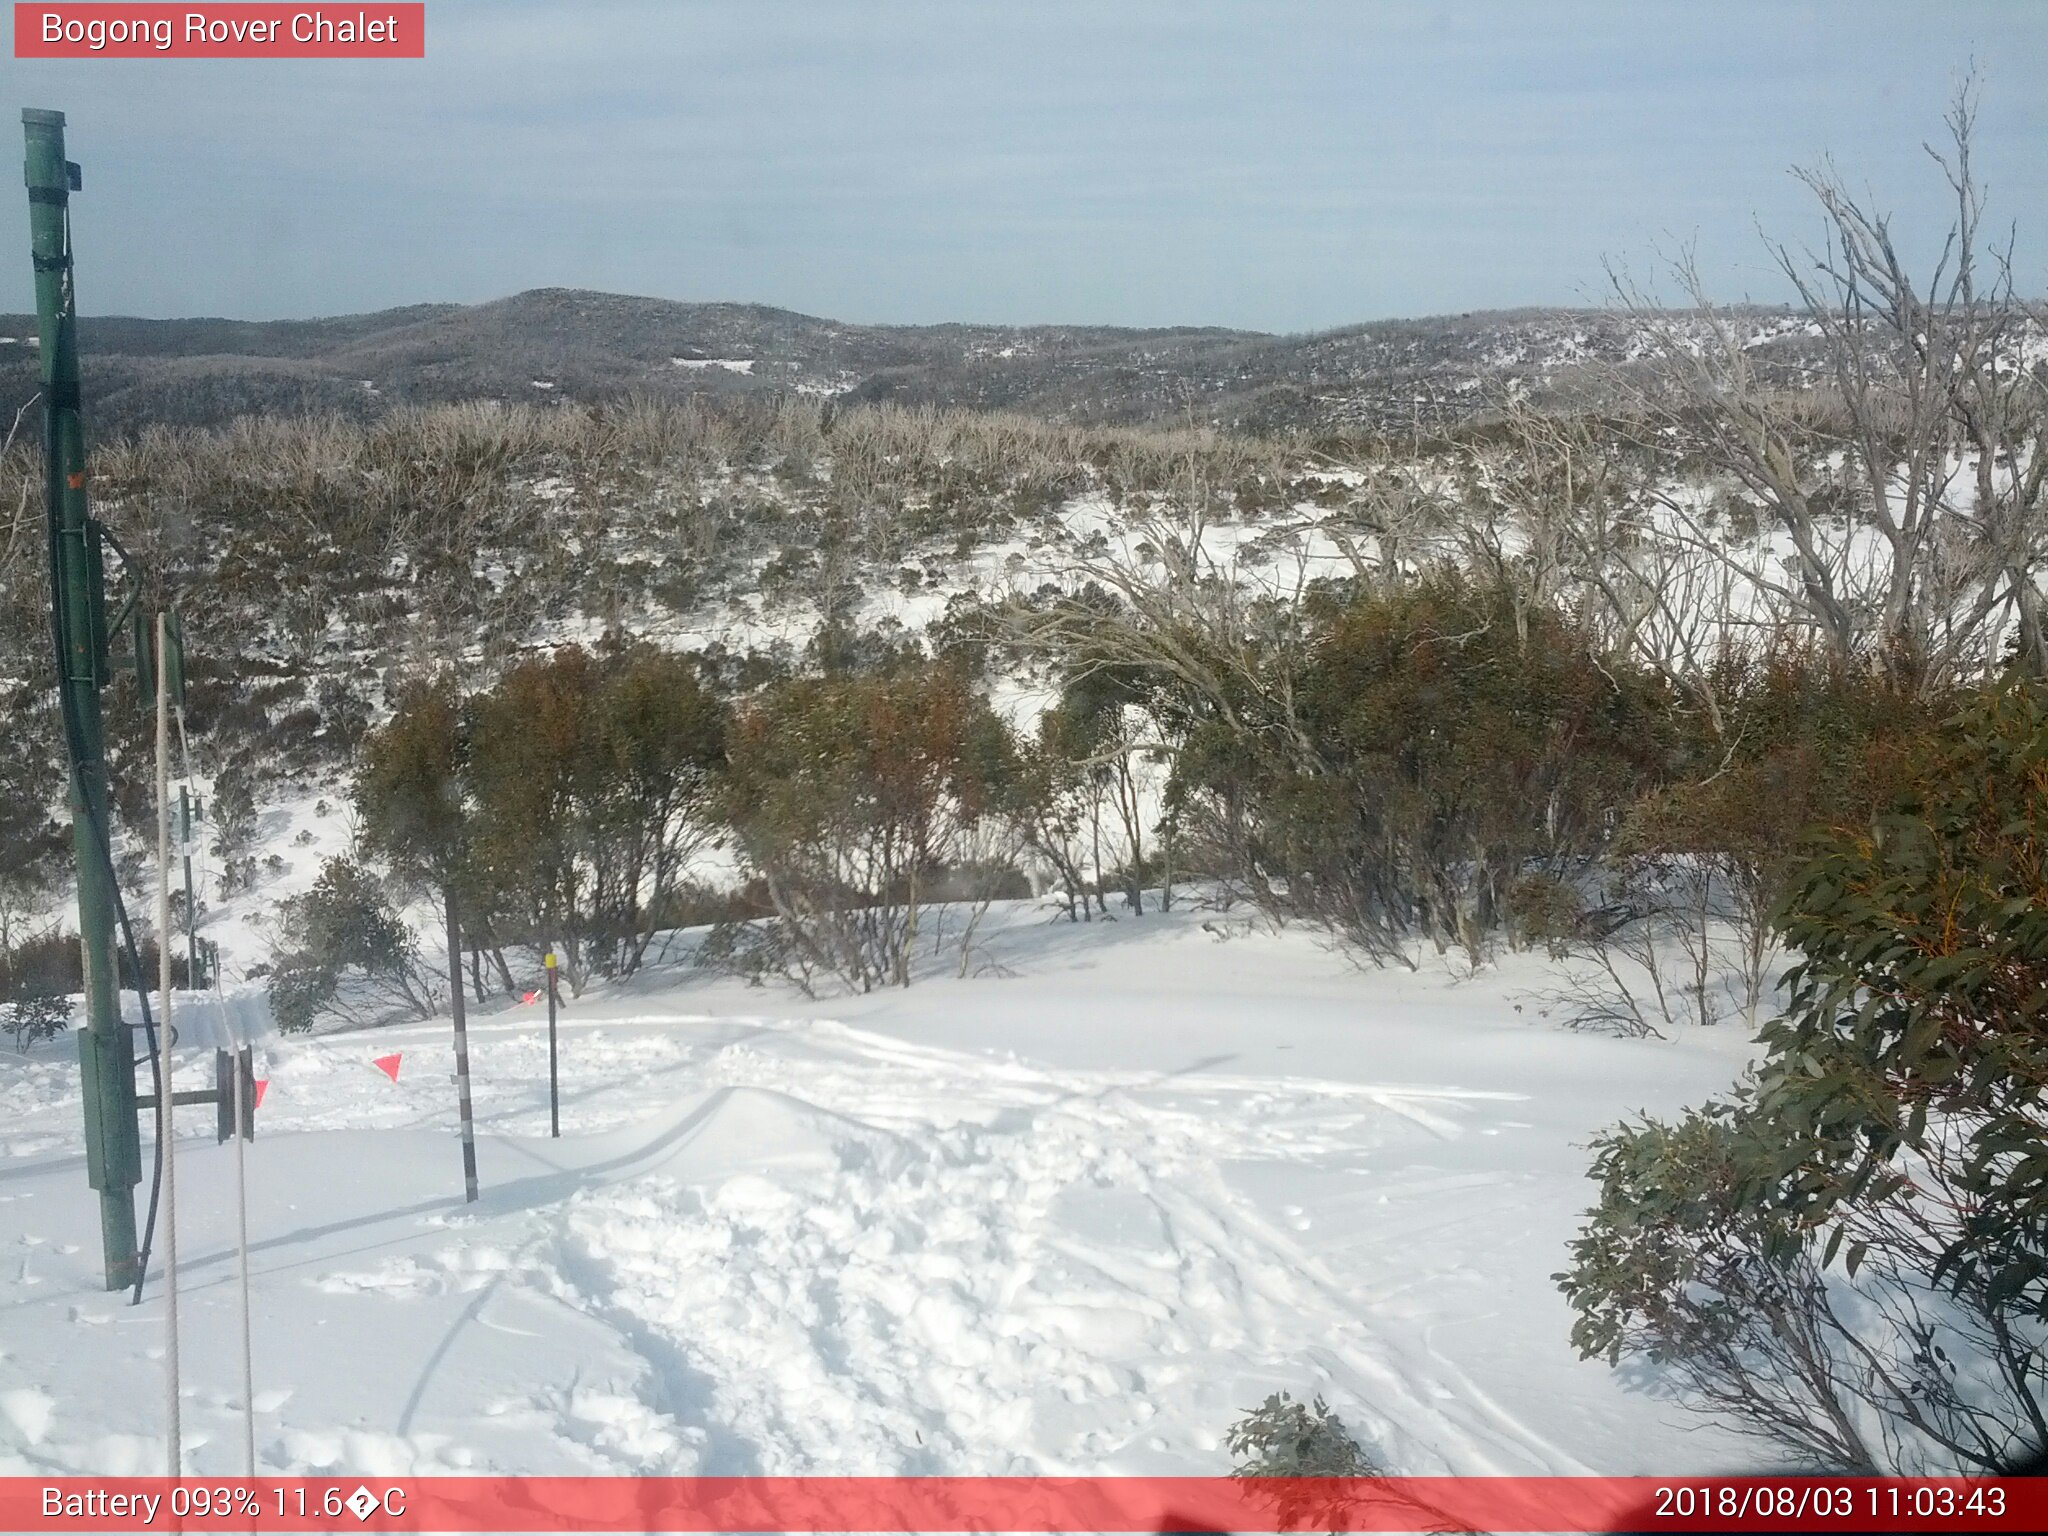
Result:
pixel 579 345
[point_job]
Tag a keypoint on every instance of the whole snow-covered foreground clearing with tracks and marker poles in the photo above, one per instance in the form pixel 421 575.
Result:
pixel 1070 1215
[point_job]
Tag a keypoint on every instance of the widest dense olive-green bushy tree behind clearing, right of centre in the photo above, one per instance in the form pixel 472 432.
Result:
pixel 1441 744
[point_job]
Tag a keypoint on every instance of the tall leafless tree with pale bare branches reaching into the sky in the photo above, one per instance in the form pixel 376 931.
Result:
pixel 1902 480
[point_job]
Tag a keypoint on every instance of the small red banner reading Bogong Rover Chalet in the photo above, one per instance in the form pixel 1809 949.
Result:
pixel 220 32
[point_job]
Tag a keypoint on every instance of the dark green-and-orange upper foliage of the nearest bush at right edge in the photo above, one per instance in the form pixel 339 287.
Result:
pixel 1918 1025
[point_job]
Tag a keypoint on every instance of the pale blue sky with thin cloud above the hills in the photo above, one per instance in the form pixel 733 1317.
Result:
pixel 1269 165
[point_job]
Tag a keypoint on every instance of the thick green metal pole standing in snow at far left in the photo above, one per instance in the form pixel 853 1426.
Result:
pixel 108 1054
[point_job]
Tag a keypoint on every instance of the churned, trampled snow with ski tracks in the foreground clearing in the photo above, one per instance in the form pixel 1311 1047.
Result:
pixel 986 1256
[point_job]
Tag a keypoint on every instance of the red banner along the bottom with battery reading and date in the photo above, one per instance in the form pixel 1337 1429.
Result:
pixel 1025 1504
